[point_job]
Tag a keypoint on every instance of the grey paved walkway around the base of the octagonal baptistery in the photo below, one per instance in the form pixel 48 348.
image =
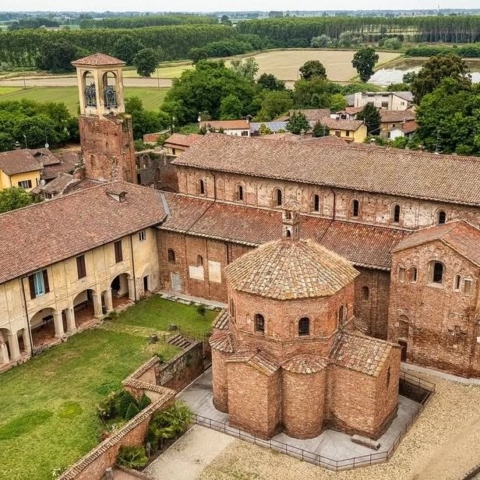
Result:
pixel 330 444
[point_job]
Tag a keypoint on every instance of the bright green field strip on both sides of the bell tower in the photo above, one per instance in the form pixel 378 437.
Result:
pixel 152 98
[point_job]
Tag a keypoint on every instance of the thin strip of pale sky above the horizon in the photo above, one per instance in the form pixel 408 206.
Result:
pixel 210 5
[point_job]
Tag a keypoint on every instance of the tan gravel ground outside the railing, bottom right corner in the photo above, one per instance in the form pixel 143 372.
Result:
pixel 442 445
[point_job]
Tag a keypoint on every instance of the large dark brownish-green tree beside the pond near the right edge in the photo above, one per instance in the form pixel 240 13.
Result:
pixel 435 70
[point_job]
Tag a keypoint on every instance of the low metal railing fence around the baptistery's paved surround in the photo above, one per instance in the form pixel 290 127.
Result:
pixel 409 381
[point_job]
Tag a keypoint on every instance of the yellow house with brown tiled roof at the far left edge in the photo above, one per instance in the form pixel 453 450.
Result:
pixel 19 168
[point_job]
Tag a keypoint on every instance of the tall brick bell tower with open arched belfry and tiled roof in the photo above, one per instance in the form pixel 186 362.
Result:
pixel 106 133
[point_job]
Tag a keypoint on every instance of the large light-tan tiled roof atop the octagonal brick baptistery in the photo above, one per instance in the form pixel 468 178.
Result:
pixel 287 269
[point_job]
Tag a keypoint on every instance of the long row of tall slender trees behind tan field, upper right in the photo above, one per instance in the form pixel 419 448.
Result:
pixel 298 32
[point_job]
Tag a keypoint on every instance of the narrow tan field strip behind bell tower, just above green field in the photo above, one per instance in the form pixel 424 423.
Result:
pixel 72 82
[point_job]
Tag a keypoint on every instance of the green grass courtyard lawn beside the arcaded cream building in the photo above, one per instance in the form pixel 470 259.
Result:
pixel 47 405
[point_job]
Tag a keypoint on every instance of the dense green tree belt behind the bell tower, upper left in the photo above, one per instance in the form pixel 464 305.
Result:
pixel 20 48
